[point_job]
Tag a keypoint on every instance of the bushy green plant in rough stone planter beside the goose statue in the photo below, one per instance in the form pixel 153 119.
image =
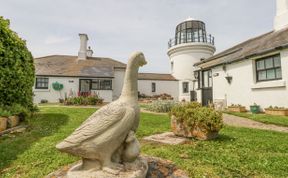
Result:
pixel 193 120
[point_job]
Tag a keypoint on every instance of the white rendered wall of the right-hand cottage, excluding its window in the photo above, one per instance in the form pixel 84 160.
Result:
pixel 245 90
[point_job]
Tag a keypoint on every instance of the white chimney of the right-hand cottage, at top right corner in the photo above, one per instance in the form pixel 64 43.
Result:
pixel 281 19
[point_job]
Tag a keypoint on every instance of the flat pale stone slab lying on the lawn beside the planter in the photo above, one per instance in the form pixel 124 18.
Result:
pixel 166 138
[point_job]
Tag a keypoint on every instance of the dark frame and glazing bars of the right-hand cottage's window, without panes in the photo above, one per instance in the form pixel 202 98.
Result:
pixel 274 68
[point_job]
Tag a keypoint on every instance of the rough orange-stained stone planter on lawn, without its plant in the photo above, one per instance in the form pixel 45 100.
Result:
pixel 182 130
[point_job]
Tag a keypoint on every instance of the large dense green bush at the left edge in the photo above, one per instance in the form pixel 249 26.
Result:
pixel 17 70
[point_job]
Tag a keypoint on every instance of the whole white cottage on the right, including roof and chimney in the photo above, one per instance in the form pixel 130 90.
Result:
pixel 255 71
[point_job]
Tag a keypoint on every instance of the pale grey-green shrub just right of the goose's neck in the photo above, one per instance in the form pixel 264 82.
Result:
pixel 161 106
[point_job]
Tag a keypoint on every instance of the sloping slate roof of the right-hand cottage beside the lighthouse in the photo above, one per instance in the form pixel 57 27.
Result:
pixel 260 45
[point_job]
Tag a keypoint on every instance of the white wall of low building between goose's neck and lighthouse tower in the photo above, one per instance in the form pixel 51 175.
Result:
pixel 169 87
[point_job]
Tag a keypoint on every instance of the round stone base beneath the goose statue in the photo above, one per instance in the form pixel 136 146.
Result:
pixel 136 169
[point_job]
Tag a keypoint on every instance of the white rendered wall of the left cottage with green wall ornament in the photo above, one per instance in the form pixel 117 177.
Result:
pixel 69 83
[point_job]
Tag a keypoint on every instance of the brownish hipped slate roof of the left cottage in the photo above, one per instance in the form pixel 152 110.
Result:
pixel 69 66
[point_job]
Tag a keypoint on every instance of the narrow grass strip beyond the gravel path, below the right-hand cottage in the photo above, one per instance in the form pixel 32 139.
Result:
pixel 265 118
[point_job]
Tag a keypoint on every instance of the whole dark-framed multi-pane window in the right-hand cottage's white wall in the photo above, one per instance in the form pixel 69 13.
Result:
pixel 268 68
